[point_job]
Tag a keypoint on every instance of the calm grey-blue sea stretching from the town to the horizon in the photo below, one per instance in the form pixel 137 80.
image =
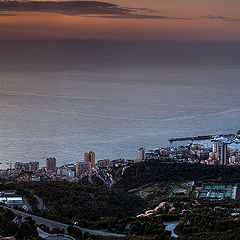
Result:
pixel 61 98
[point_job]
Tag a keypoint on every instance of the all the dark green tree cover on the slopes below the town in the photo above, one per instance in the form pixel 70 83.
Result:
pixel 114 209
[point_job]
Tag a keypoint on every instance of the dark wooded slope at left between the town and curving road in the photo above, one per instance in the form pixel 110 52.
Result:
pixel 79 201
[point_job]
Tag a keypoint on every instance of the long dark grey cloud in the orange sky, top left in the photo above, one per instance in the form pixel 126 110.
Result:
pixel 93 8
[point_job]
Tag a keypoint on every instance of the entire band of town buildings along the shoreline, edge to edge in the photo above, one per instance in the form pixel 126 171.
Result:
pixel 215 153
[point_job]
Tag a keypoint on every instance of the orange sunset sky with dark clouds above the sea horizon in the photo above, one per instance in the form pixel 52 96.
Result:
pixel 216 20
